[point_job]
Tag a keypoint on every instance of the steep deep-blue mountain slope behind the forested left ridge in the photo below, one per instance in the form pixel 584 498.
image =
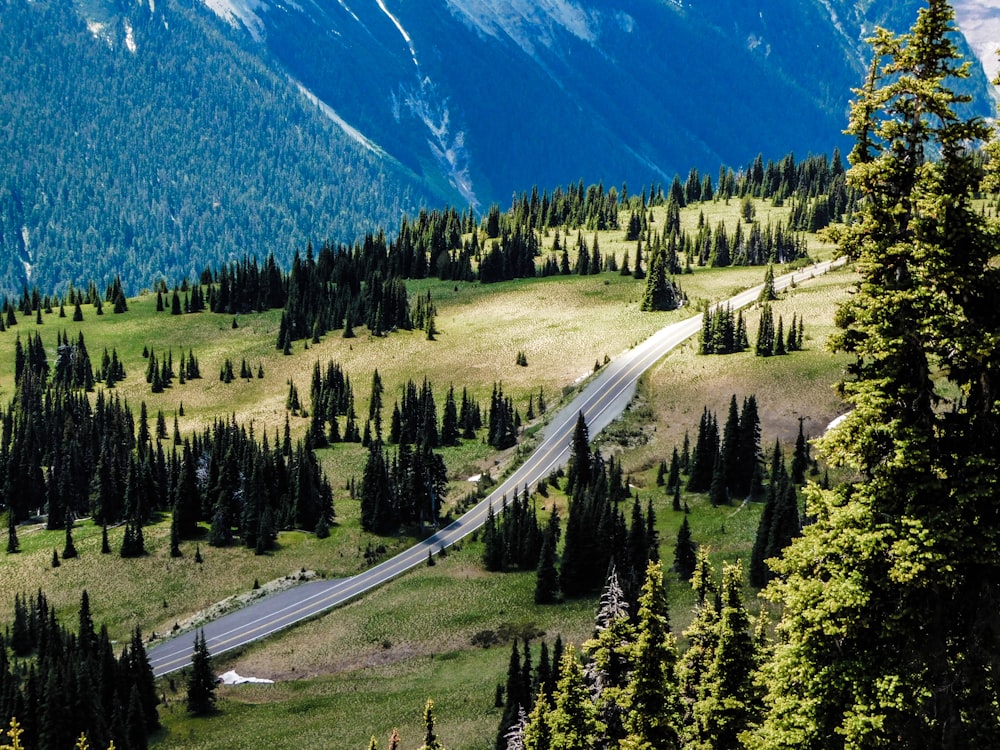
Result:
pixel 493 96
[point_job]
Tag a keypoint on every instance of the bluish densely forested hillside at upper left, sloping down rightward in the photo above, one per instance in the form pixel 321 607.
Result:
pixel 147 143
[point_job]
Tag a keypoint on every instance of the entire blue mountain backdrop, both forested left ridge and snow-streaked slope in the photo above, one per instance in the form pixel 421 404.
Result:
pixel 150 138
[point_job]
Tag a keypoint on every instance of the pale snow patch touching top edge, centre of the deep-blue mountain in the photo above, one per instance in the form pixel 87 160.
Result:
pixel 528 22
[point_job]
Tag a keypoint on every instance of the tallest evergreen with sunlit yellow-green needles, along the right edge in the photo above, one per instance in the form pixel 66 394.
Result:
pixel 893 566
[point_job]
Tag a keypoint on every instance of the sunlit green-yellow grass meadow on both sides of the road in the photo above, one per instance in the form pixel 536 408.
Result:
pixel 369 666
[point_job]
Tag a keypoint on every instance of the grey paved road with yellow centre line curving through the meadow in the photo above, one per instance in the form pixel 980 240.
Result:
pixel 601 401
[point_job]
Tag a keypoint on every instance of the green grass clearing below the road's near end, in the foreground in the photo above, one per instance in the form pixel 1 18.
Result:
pixel 369 666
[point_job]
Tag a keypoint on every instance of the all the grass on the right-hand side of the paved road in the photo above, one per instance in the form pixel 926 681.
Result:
pixel 380 658
